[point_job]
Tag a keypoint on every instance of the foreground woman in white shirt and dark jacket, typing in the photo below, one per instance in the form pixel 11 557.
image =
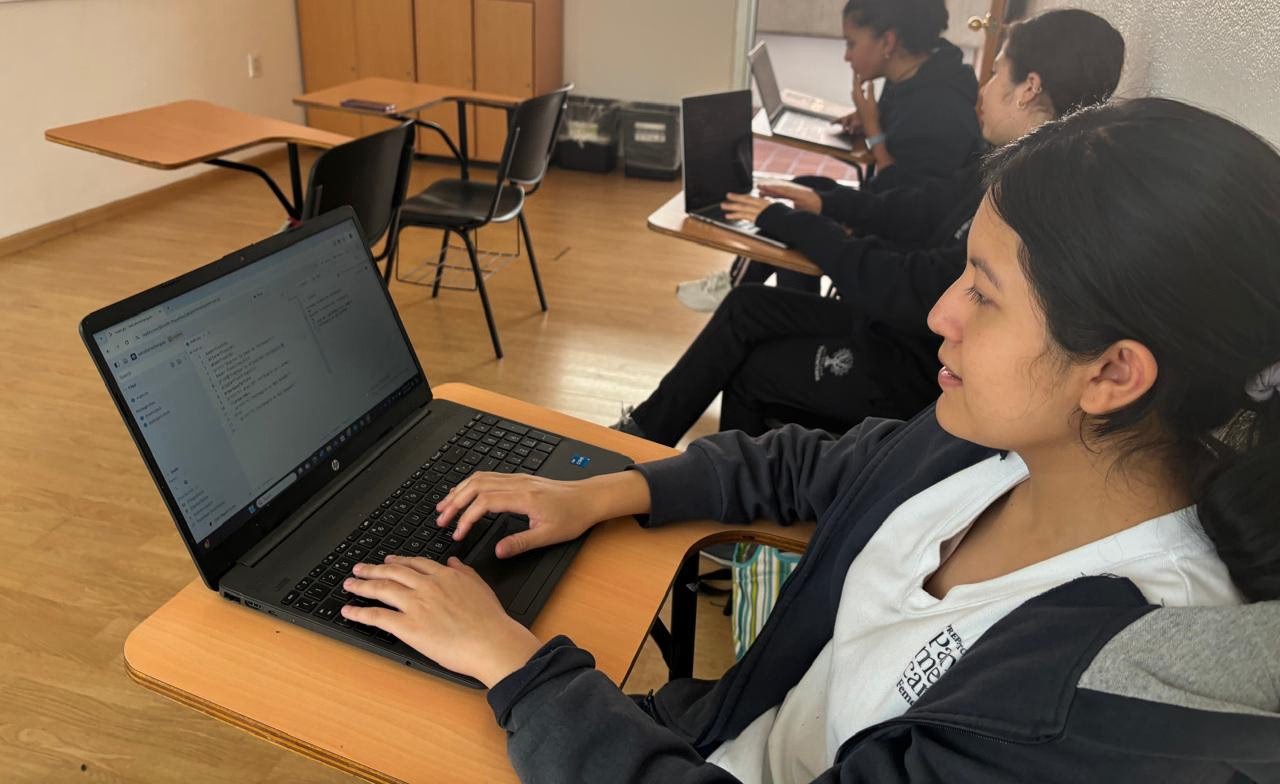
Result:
pixel 1066 572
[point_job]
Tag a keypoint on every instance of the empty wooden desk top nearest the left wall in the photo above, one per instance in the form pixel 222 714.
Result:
pixel 181 134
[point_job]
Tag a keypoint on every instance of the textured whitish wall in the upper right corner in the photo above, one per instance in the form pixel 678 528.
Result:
pixel 1223 57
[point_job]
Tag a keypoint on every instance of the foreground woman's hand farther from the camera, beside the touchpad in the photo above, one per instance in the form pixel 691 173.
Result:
pixel 559 512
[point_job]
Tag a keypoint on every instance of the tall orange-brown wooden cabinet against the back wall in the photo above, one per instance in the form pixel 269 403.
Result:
pixel 509 47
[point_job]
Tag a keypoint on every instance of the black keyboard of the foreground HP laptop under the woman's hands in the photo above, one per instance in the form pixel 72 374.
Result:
pixel 405 522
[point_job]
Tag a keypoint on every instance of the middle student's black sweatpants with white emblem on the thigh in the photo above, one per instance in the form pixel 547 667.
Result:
pixel 790 357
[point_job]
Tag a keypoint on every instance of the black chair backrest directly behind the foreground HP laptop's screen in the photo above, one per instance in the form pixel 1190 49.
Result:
pixel 371 175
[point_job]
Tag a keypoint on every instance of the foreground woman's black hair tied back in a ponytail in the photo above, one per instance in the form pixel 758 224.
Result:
pixel 1154 221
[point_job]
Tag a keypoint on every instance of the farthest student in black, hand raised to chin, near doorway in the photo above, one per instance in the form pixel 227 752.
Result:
pixel 924 126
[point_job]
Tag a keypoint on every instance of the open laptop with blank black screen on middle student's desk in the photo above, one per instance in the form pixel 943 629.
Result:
pixel 719 153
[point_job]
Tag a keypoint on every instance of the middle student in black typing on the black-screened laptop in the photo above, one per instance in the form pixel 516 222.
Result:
pixel 788 357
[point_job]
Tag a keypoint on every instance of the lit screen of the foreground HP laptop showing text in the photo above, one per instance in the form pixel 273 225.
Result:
pixel 243 385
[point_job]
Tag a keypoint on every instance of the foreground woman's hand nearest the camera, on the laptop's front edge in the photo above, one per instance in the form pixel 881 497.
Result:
pixel 447 613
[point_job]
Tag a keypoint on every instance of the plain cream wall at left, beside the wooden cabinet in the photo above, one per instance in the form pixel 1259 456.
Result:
pixel 68 61
